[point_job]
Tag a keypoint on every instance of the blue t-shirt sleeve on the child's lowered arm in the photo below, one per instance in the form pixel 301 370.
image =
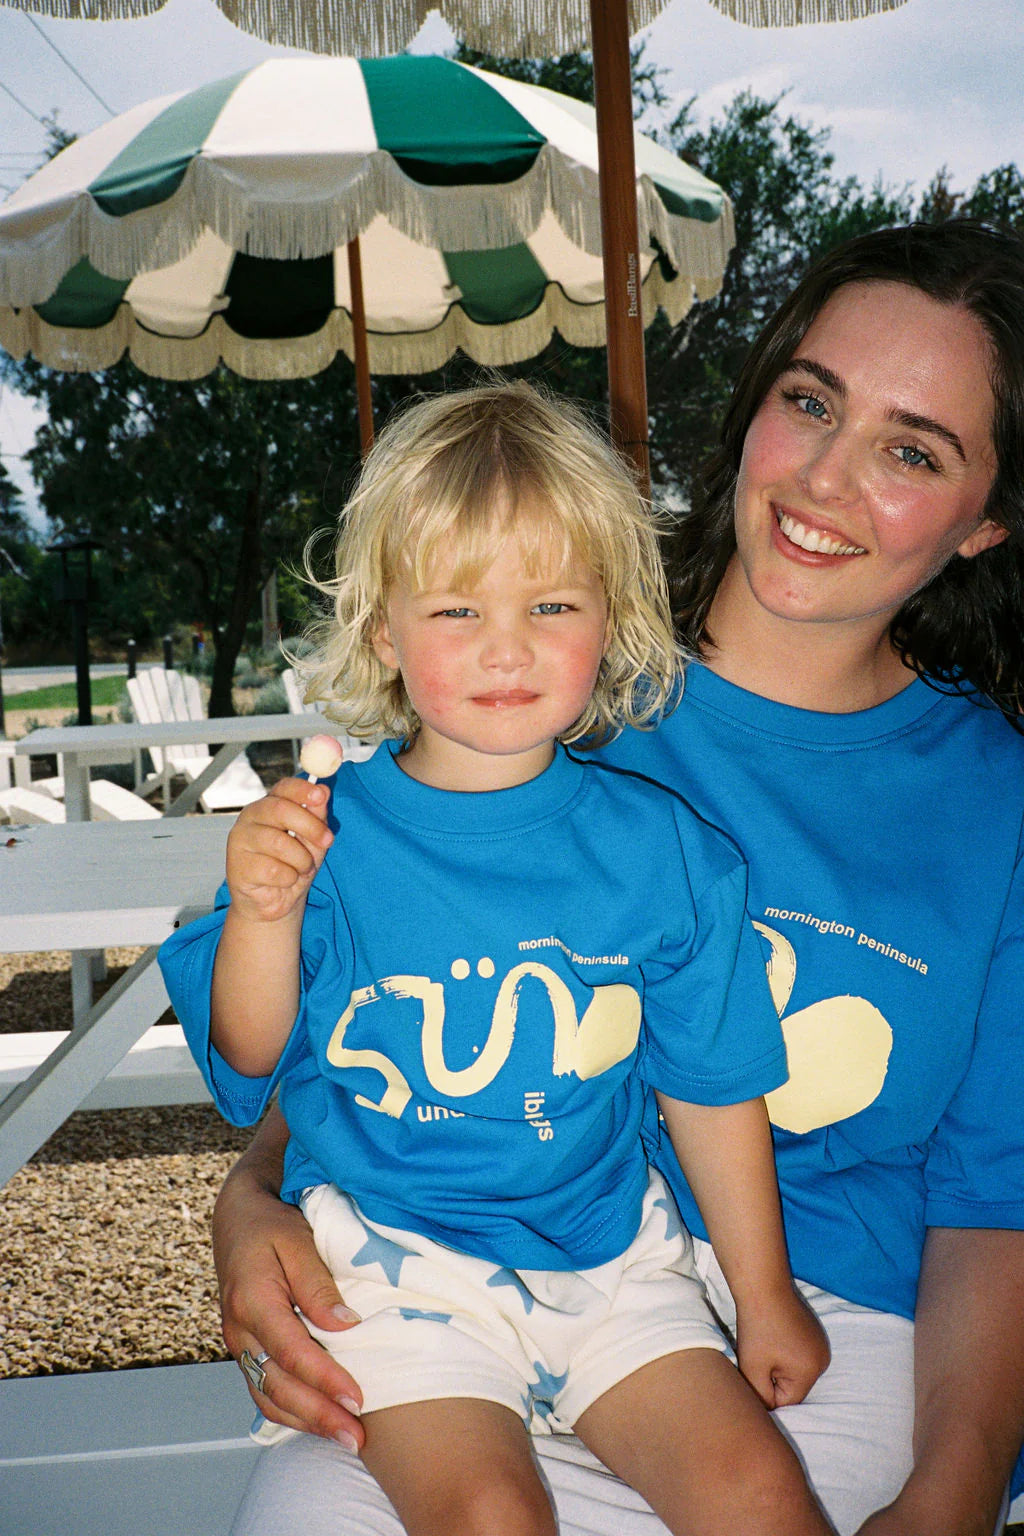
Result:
pixel 712 1030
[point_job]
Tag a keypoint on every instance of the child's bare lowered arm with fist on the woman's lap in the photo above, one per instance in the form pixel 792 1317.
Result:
pixel 728 1159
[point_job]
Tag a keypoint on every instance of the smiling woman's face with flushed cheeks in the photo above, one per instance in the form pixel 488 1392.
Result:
pixel 870 463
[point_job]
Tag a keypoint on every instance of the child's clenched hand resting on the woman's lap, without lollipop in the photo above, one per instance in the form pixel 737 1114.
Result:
pixel 782 1348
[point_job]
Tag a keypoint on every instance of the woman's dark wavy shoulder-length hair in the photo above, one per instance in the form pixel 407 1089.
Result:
pixel 965 631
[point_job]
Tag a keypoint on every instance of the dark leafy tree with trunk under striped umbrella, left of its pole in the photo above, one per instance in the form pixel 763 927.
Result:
pixel 194 491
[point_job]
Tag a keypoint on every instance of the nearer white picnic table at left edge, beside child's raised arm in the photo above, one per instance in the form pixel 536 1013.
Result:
pixel 85 887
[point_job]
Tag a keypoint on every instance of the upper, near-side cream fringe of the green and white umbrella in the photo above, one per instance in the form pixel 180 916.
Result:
pixel 452 219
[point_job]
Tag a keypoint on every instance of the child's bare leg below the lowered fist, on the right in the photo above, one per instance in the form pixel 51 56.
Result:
pixel 693 1438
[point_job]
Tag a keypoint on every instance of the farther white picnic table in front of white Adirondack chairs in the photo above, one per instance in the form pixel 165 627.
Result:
pixel 84 747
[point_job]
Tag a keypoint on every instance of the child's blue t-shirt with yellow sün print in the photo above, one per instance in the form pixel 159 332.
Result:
pixel 492 984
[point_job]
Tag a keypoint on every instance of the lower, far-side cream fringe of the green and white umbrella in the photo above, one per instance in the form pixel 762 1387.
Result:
pixel 196 357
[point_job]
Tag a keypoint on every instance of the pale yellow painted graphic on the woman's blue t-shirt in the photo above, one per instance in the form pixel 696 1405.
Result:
pixel 837 1050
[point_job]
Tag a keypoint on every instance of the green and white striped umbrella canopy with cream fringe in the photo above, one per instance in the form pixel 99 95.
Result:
pixel 214 225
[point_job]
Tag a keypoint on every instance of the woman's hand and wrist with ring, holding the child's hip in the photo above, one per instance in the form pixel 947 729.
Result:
pixel 268 1265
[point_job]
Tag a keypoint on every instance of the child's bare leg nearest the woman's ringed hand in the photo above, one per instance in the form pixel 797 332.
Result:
pixel 458 1468
